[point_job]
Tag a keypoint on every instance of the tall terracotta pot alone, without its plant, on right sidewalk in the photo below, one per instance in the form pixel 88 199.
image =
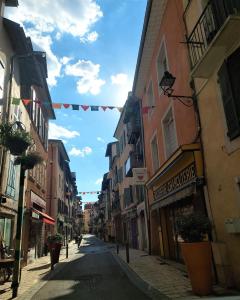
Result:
pixel 198 259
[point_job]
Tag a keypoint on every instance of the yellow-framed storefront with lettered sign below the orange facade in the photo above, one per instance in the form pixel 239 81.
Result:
pixel 176 189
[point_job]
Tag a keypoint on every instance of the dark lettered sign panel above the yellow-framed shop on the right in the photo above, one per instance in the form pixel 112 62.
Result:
pixel 178 181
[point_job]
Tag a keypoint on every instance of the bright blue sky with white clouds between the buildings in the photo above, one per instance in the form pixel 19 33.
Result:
pixel 92 49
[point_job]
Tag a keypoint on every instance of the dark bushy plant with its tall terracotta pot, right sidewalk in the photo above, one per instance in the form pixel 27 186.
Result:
pixel 196 250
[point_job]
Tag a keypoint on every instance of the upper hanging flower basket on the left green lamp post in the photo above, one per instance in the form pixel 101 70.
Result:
pixel 15 140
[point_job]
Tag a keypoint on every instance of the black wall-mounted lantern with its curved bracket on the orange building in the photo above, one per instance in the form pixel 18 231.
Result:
pixel 166 84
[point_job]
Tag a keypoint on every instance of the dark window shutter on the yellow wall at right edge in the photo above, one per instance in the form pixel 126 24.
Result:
pixel 232 120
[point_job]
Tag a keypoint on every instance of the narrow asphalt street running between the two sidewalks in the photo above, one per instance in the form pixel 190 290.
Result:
pixel 95 275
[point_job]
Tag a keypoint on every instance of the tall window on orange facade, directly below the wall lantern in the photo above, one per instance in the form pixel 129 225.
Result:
pixel 169 134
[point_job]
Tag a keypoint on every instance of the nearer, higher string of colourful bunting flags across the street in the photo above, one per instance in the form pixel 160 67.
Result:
pixel 56 105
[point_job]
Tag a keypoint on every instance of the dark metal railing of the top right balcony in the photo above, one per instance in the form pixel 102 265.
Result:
pixel 211 20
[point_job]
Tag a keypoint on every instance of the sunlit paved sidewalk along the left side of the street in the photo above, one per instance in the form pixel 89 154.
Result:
pixel 33 273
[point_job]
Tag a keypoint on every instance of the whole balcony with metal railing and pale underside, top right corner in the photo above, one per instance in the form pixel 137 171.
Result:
pixel 214 35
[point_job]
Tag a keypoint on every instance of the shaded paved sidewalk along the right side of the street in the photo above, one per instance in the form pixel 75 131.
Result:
pixel 167 277
